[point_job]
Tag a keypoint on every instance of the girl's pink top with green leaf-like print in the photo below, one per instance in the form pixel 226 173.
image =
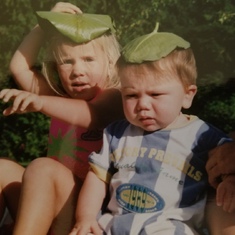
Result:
pixel 71 145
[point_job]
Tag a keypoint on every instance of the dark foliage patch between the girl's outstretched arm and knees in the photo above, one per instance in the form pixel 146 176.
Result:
pixel 24 137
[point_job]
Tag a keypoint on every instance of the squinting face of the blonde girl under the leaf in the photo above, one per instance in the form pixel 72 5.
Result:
pixel 83 71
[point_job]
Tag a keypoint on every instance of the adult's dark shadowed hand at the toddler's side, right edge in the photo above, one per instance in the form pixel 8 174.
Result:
pixel 221 162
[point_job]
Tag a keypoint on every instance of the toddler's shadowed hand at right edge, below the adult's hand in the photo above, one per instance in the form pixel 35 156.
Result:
pixel 225 194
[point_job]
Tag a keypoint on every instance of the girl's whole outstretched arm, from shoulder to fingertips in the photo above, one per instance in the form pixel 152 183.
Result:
pixel 97 114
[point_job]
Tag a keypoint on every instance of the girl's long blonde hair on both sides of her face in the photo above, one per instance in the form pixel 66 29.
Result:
pixel 109 46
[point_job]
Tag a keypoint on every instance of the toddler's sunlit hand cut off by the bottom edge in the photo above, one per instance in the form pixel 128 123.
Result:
pixel 86 227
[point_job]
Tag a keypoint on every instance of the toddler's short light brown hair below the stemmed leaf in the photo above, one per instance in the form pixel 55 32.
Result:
pixel 179 64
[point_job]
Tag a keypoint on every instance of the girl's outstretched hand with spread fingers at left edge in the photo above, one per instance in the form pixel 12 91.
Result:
pixel 23 101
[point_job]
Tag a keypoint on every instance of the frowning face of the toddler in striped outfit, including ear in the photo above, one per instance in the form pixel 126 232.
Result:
pixel 152 104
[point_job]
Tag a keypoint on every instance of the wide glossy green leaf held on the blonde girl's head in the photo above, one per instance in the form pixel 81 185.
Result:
pixel 80 28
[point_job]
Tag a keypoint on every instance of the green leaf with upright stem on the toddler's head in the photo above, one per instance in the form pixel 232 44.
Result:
pixel 152 47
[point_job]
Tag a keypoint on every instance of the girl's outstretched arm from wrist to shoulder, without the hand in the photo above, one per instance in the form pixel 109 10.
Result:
pixel 92 115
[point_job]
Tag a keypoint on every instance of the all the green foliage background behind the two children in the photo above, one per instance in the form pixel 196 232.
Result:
pixel 209 25
